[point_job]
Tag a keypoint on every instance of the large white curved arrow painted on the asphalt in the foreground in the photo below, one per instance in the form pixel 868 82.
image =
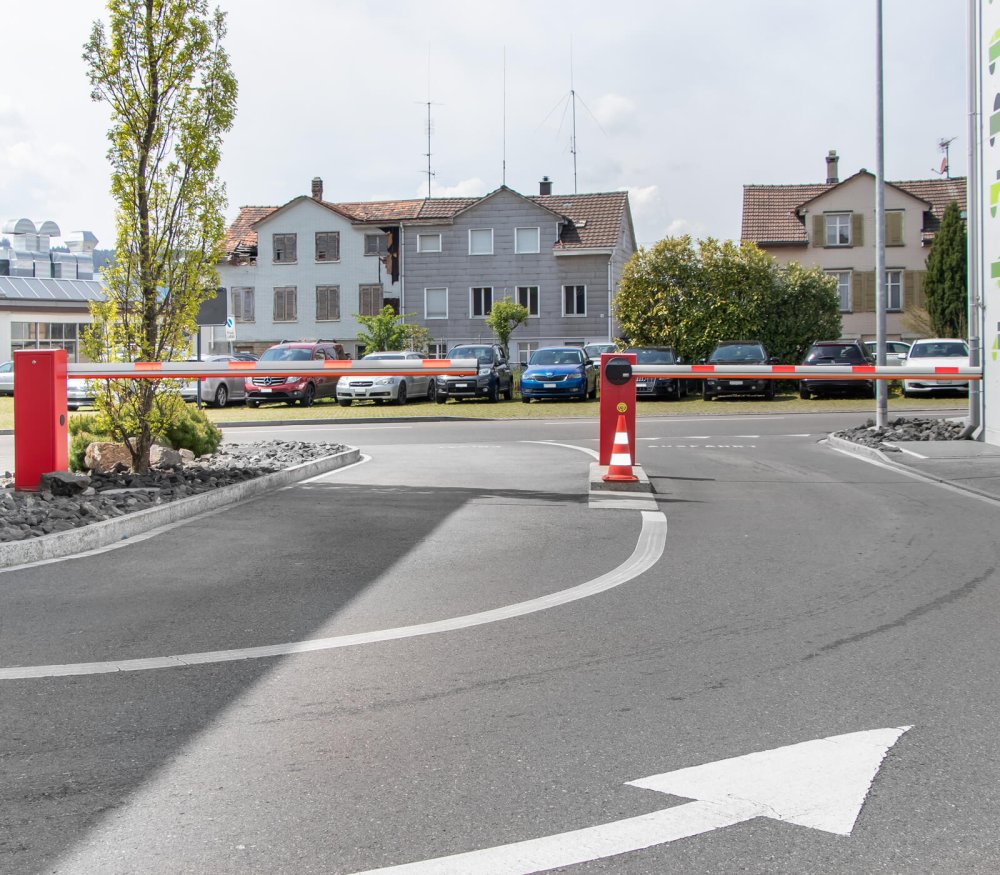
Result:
pixel 821 784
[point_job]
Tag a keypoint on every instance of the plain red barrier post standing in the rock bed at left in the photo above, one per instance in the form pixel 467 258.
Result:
pixel 41 436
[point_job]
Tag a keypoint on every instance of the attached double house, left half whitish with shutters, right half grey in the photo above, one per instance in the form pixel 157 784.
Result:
pixel 441 262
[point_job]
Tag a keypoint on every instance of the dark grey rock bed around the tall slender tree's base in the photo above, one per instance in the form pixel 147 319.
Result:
pixel 70 500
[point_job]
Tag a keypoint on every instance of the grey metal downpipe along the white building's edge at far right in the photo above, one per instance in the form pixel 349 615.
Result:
pixel 973 229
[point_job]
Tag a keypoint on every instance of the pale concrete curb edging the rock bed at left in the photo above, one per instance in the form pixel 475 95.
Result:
pixel 92 537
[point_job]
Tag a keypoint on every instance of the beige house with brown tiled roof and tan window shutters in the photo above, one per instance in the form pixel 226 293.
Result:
pixel 831 225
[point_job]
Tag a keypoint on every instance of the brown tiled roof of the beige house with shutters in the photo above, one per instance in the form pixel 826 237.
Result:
pixel 770 211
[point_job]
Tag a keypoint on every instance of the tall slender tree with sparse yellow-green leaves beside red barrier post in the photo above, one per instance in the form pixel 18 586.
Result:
pixel 161 69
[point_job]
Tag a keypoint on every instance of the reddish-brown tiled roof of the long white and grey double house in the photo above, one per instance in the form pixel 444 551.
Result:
pixel 596 219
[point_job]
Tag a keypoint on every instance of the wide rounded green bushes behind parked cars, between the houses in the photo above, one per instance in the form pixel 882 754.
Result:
pixel 691 295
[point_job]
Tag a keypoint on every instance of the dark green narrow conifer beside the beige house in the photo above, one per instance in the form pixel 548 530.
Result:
pixel 946 282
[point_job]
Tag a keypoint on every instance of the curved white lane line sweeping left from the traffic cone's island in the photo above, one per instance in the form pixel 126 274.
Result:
pixel 648 550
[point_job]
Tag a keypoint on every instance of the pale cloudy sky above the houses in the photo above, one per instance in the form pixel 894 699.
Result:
pixel 679 102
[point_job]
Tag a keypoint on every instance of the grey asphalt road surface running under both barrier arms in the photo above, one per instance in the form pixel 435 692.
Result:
pixel 799 594
